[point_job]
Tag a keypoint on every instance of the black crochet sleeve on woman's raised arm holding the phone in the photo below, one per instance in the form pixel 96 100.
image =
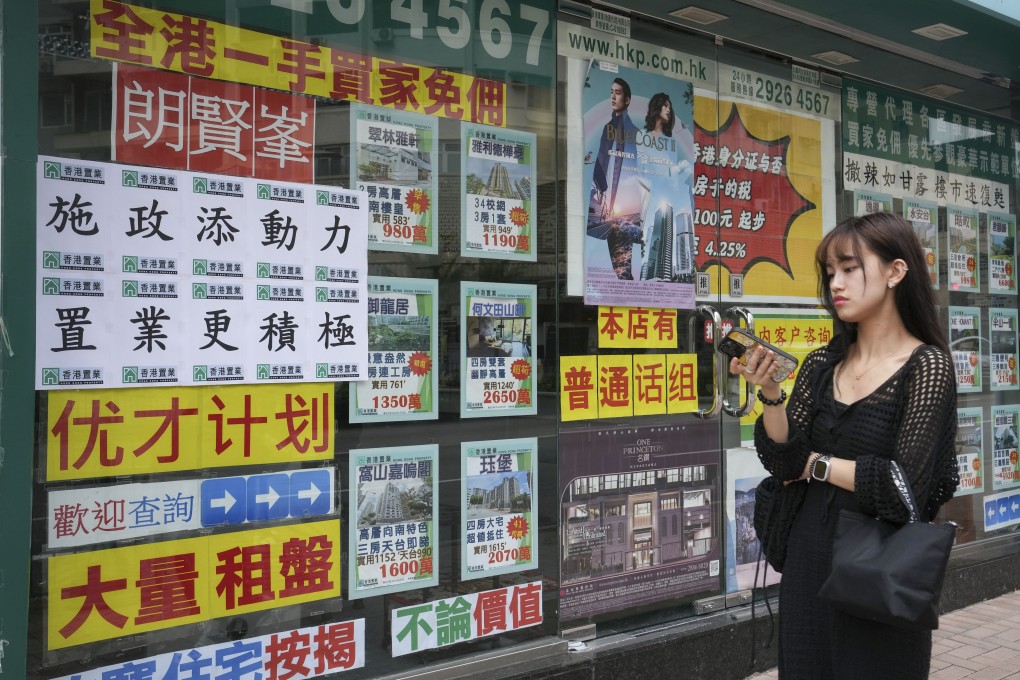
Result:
pixel 787 461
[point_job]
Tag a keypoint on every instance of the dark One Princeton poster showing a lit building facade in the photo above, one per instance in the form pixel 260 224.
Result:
pixel 641 517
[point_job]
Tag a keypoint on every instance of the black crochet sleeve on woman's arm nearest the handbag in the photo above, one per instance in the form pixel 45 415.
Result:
pixel 925 445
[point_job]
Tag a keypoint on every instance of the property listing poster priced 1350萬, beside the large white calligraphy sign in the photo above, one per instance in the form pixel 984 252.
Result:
pixel 403 337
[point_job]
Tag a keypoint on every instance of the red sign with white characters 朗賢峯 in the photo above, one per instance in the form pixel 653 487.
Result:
pixel 174 121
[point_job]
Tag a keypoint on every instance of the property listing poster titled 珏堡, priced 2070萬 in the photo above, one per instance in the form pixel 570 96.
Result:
pixel 498 485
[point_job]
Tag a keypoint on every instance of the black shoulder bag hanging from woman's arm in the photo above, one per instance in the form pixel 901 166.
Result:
pixel 887 573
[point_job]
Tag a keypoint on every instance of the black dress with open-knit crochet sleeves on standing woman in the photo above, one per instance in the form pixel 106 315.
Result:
pixel 910 419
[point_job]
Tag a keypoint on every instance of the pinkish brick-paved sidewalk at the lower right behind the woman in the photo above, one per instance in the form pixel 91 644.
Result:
pixel 981 643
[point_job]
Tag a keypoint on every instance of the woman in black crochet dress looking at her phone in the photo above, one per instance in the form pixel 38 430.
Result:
pixel 883 390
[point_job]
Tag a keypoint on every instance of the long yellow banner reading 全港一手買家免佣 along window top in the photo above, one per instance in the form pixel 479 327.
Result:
pixel 209 49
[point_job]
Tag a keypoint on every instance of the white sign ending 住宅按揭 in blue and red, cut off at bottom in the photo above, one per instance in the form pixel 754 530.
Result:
pixel 296 655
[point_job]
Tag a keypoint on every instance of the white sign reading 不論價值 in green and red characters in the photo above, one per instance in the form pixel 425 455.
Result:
pixel 468 617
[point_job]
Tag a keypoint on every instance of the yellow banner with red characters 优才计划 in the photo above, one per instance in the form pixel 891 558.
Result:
pixel 115 433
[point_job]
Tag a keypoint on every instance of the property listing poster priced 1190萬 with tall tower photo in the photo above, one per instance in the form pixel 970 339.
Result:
pixel 498 181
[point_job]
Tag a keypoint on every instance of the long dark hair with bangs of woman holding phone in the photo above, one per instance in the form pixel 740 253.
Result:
pixel 891 238
